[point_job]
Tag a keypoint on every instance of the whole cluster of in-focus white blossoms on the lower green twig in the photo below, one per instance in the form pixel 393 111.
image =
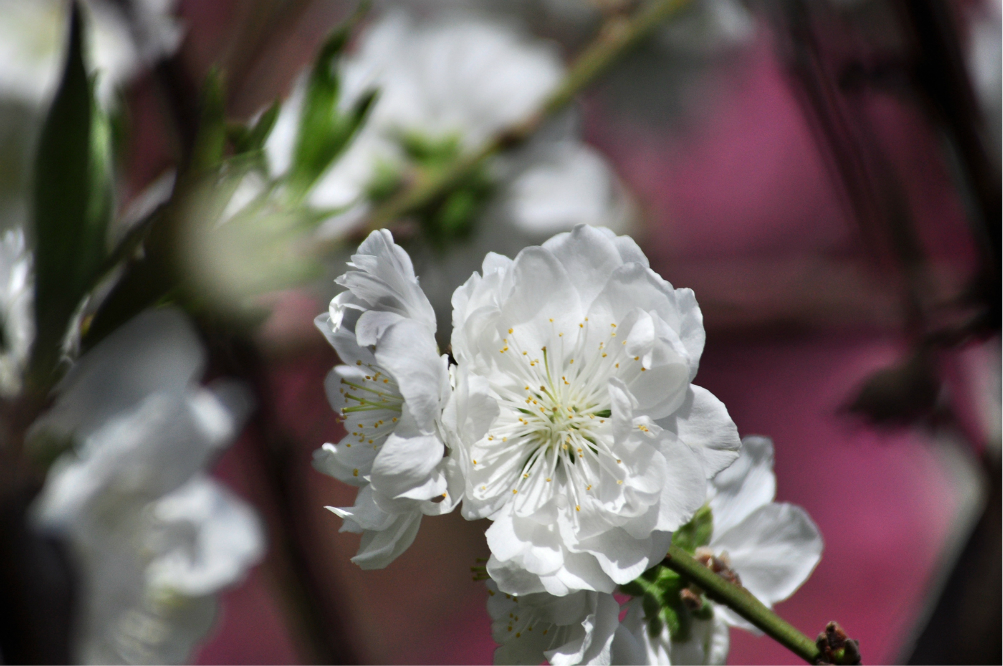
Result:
pixel 567 416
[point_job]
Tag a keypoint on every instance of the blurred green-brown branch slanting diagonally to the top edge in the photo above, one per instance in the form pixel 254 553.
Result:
pixel 617 38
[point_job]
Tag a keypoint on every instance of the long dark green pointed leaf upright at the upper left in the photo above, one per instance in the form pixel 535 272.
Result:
pixel 73 205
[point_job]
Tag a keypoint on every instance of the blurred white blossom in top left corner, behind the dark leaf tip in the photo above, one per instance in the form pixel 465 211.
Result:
pixel 34 44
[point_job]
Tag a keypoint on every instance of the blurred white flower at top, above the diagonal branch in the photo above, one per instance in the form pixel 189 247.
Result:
pixel 463 79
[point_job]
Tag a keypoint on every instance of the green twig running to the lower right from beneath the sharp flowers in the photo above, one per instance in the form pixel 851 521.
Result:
pixel 744 603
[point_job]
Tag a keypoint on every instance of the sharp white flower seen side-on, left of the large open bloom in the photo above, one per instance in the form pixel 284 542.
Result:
pixel 392 393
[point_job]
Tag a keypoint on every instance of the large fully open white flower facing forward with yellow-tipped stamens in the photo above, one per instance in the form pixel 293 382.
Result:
pixel 581 435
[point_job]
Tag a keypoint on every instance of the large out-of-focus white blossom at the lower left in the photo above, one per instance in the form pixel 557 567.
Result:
pixel 155 539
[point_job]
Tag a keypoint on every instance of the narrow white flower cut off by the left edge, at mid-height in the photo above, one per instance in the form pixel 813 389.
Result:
pixel 18 320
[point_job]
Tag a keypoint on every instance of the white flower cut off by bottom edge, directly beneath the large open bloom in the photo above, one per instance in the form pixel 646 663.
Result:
pixel 575 629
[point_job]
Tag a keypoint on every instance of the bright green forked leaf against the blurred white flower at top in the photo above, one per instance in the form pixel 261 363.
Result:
pixel 324 131
